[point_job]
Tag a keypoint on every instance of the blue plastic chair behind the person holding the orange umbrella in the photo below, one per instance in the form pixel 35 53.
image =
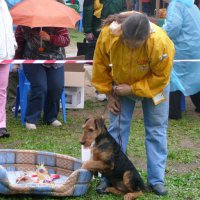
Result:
pixel 22 95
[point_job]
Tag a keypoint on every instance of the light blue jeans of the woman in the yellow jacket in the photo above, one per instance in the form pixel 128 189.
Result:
pixel 156 123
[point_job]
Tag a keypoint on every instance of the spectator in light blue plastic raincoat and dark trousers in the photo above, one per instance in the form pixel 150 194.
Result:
pixel 182 26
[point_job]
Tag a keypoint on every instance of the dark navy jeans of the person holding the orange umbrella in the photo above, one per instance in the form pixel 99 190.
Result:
pixel 46 89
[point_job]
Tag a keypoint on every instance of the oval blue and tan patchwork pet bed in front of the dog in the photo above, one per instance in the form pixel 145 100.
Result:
pixel 73 181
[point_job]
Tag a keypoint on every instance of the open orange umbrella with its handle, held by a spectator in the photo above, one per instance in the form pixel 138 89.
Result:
pixel 44 13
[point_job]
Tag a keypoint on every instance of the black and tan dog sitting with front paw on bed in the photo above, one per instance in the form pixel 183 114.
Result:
pixel 108 159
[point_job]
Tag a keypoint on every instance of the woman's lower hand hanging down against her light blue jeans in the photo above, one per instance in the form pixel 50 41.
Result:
pixel 113 104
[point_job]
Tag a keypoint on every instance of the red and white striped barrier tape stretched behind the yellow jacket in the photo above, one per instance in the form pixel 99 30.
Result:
pixel 66 61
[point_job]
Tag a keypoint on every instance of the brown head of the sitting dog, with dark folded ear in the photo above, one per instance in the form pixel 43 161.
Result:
pixel 92 128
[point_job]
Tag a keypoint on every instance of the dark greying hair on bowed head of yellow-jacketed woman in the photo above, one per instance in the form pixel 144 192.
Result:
pixel 136 26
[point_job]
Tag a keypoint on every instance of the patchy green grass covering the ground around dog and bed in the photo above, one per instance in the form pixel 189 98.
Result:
pixel 182 173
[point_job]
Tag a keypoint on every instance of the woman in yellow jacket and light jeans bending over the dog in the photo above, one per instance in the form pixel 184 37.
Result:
pixel 132 61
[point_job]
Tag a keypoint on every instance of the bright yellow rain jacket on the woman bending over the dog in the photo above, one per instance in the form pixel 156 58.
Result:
pixel 147 69
